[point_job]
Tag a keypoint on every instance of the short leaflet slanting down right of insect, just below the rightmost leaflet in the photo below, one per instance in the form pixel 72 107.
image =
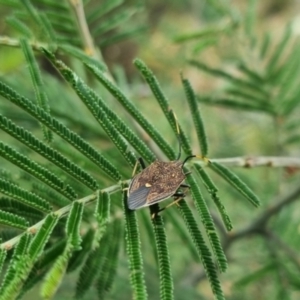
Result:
pixel 212 189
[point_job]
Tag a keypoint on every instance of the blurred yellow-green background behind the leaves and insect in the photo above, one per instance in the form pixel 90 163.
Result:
pixel 222 34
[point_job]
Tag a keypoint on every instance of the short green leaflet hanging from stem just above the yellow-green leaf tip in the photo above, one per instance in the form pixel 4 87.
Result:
pixel 73 225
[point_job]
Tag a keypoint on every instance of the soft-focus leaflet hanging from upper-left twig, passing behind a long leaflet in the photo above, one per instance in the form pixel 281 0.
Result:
pixel 39 89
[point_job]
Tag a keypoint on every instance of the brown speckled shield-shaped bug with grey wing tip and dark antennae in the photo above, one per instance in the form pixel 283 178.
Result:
pixel 157 182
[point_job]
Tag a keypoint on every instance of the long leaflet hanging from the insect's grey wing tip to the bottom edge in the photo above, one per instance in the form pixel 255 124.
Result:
pixel 133 249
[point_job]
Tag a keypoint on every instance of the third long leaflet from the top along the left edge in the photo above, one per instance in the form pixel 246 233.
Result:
pixel 37 171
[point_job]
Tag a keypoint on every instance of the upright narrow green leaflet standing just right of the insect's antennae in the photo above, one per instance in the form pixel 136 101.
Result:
pixel 197 119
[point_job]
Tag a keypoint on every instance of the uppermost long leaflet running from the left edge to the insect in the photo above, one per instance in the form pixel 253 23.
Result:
pixel 74 139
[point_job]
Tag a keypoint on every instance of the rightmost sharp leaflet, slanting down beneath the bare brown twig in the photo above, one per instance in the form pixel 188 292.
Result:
pixel 236 182
